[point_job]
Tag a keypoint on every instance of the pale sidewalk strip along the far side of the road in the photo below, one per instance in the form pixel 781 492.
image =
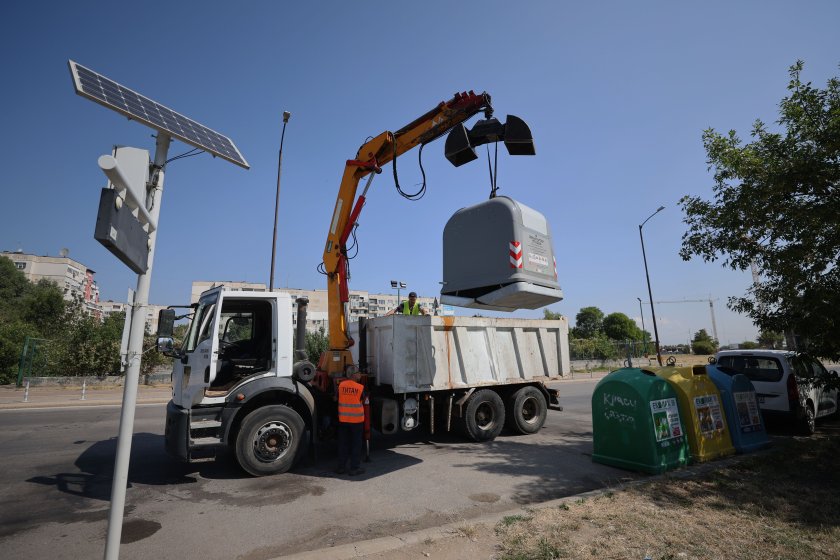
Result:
pixel 40 396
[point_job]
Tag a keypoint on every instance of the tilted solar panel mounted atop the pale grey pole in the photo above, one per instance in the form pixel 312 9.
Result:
pixel 109 93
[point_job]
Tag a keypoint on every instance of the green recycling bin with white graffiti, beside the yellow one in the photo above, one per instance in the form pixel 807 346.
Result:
pixel 636 423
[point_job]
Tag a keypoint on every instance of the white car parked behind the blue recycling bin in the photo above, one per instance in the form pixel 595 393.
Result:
pixel 784 383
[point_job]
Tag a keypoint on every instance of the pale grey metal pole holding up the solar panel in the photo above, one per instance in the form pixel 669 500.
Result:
pixel 135 354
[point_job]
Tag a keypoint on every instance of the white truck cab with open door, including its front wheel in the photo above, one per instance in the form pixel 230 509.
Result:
pixel 232 383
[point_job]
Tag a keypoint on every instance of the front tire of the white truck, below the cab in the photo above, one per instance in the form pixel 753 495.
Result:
pixel 268 440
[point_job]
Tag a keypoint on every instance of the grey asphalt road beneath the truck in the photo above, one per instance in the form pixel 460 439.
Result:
pixel 58 463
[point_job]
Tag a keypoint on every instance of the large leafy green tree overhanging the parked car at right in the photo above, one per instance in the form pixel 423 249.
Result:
pixel 776 204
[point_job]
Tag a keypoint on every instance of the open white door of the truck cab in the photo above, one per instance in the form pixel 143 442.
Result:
pixel 201 350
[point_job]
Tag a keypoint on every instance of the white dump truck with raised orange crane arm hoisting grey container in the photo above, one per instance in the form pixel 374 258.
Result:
pixel 242 381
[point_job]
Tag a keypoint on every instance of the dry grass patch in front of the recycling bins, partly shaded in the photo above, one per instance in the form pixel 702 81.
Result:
pixel 785 504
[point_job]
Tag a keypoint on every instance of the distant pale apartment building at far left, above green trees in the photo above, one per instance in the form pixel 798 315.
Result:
pixel 75 279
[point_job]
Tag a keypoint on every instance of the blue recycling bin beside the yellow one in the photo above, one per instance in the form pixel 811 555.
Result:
pixel 746 424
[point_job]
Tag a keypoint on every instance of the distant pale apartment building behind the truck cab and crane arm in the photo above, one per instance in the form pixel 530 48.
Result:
pixel 362 303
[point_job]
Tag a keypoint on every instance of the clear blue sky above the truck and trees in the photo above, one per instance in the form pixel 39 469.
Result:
pixel 617 95
